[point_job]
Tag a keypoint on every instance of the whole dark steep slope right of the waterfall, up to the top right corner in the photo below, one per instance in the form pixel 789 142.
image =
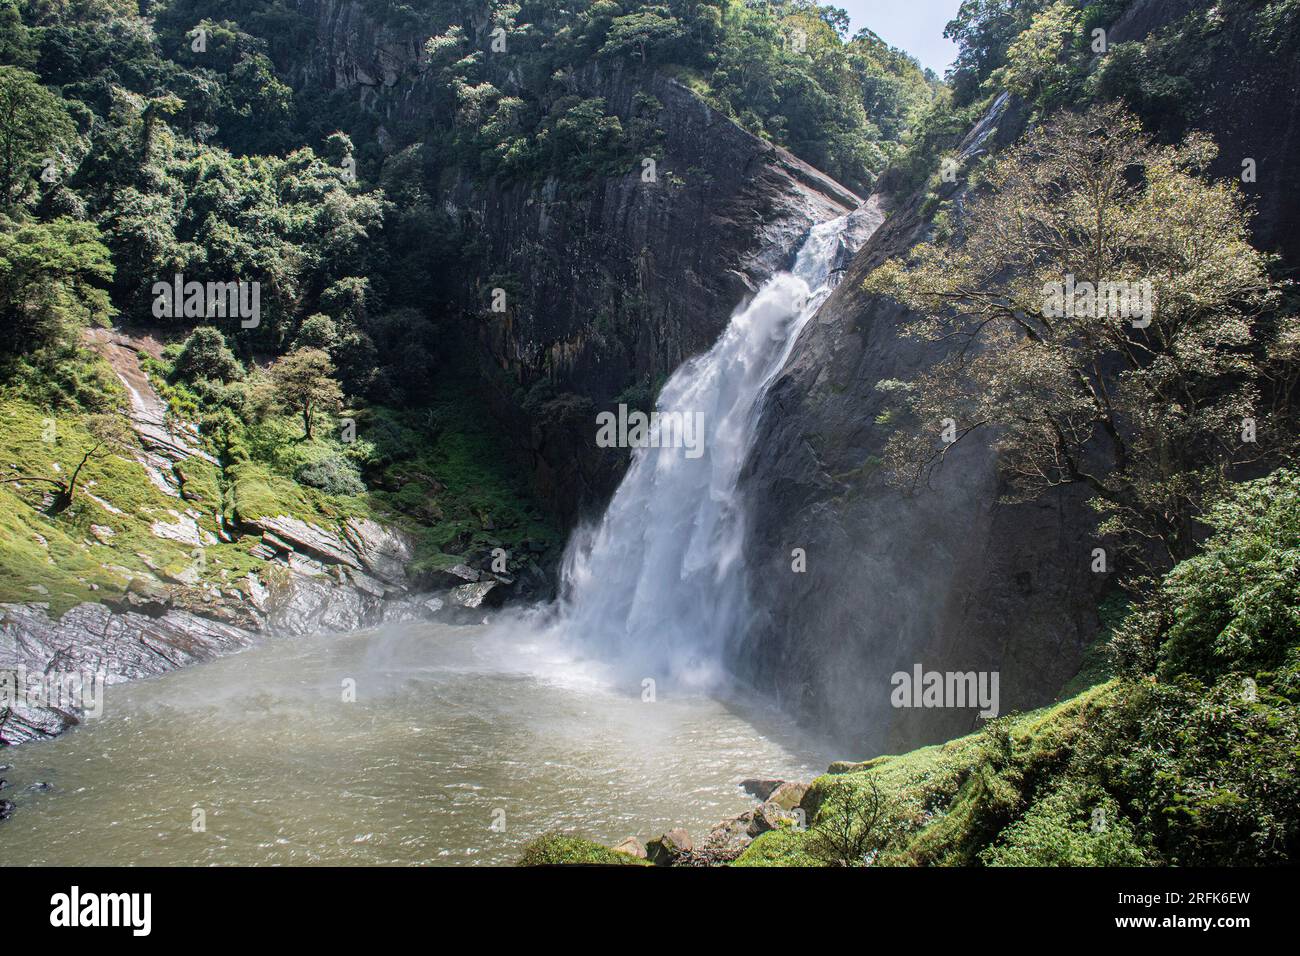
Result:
pixel 952 576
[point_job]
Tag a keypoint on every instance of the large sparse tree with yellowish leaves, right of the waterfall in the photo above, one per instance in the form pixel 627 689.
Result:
pixel 1141 397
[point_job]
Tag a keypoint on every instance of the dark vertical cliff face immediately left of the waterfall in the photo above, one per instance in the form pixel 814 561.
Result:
pixel 616 282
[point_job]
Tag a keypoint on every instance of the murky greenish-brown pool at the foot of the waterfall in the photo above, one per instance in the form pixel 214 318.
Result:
pixel 462 746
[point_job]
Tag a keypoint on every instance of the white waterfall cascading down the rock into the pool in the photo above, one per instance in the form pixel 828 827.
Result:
pixel 658 586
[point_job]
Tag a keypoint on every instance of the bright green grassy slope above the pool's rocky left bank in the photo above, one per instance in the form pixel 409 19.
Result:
pixel 443 474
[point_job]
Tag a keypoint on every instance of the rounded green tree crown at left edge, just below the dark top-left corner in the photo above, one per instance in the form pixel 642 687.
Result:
pixel 34 126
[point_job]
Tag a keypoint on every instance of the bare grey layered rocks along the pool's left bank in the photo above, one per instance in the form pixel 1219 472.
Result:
pixel 314 579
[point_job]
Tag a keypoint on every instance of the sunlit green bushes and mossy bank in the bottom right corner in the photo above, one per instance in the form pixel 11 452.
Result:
pixel 1190 759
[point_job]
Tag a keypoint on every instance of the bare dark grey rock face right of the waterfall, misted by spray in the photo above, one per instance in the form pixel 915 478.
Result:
pixel 950 578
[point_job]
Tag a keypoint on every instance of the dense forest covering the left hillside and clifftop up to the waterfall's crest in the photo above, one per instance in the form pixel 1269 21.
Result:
pixel 146 141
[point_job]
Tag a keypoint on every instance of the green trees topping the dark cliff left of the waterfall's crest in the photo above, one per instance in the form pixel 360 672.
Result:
pixel 783 71
